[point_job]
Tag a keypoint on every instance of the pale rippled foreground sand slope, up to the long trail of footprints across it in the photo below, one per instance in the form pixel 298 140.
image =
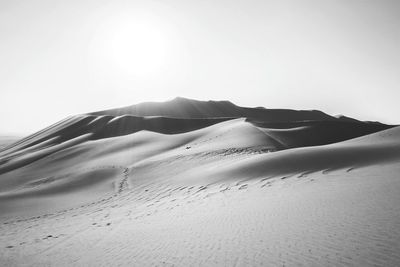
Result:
pixel 338 218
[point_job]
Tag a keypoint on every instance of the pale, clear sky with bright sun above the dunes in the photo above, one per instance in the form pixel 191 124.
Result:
pixel 61 58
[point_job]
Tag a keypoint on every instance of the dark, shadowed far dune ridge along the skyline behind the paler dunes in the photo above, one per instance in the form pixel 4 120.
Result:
pixel 289 128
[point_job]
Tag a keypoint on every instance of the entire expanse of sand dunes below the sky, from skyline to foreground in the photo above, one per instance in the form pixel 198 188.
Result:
pixel 208 183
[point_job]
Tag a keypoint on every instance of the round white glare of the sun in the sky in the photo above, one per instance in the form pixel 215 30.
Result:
pixel 137 46
